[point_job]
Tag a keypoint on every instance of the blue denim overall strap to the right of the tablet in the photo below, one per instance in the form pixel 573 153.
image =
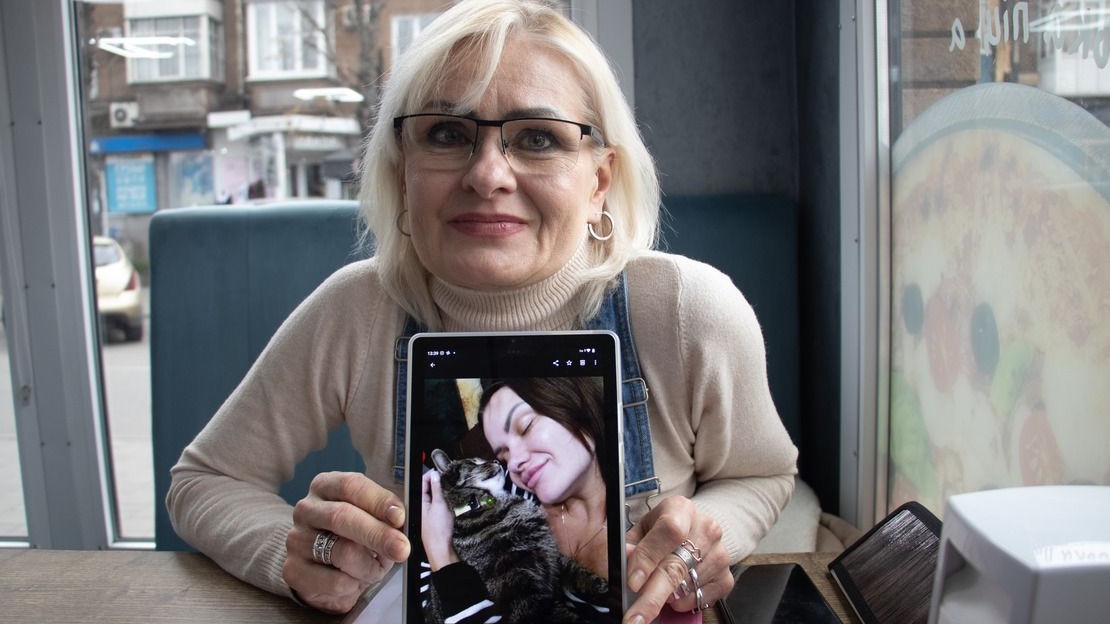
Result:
pixel 640 464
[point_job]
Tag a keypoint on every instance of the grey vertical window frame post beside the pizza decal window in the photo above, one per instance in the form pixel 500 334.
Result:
pixel 865 177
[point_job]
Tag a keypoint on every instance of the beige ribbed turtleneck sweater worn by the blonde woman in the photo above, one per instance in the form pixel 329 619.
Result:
pixel 715 432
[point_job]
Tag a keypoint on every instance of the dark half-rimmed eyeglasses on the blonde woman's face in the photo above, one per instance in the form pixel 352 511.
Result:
pixel 532 146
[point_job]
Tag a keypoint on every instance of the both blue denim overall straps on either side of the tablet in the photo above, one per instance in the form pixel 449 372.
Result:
pixel 640 466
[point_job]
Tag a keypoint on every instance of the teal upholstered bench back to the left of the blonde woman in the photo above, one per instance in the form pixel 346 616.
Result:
pixel 221 281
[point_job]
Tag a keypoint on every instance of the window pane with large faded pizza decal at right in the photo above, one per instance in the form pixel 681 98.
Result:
pixel 1000 230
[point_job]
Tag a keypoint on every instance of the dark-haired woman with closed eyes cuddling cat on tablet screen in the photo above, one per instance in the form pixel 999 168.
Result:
pixel 546 432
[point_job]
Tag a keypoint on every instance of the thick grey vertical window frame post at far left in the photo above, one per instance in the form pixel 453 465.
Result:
pixel 55 361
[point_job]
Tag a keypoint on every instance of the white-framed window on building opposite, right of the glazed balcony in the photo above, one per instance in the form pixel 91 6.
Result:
pixel 287 39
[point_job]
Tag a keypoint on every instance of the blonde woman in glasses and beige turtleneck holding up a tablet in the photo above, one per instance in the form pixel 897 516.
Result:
pixel 481 225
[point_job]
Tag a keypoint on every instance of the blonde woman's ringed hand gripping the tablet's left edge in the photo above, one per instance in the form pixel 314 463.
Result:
pixel 367 520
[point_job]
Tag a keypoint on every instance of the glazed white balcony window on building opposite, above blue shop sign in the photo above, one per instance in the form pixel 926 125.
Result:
pixel 191 51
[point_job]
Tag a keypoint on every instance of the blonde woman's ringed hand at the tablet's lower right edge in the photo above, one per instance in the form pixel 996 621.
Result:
pixel 658 575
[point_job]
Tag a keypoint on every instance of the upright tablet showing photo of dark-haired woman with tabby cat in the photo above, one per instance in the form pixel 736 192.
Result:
pixel 520 430
